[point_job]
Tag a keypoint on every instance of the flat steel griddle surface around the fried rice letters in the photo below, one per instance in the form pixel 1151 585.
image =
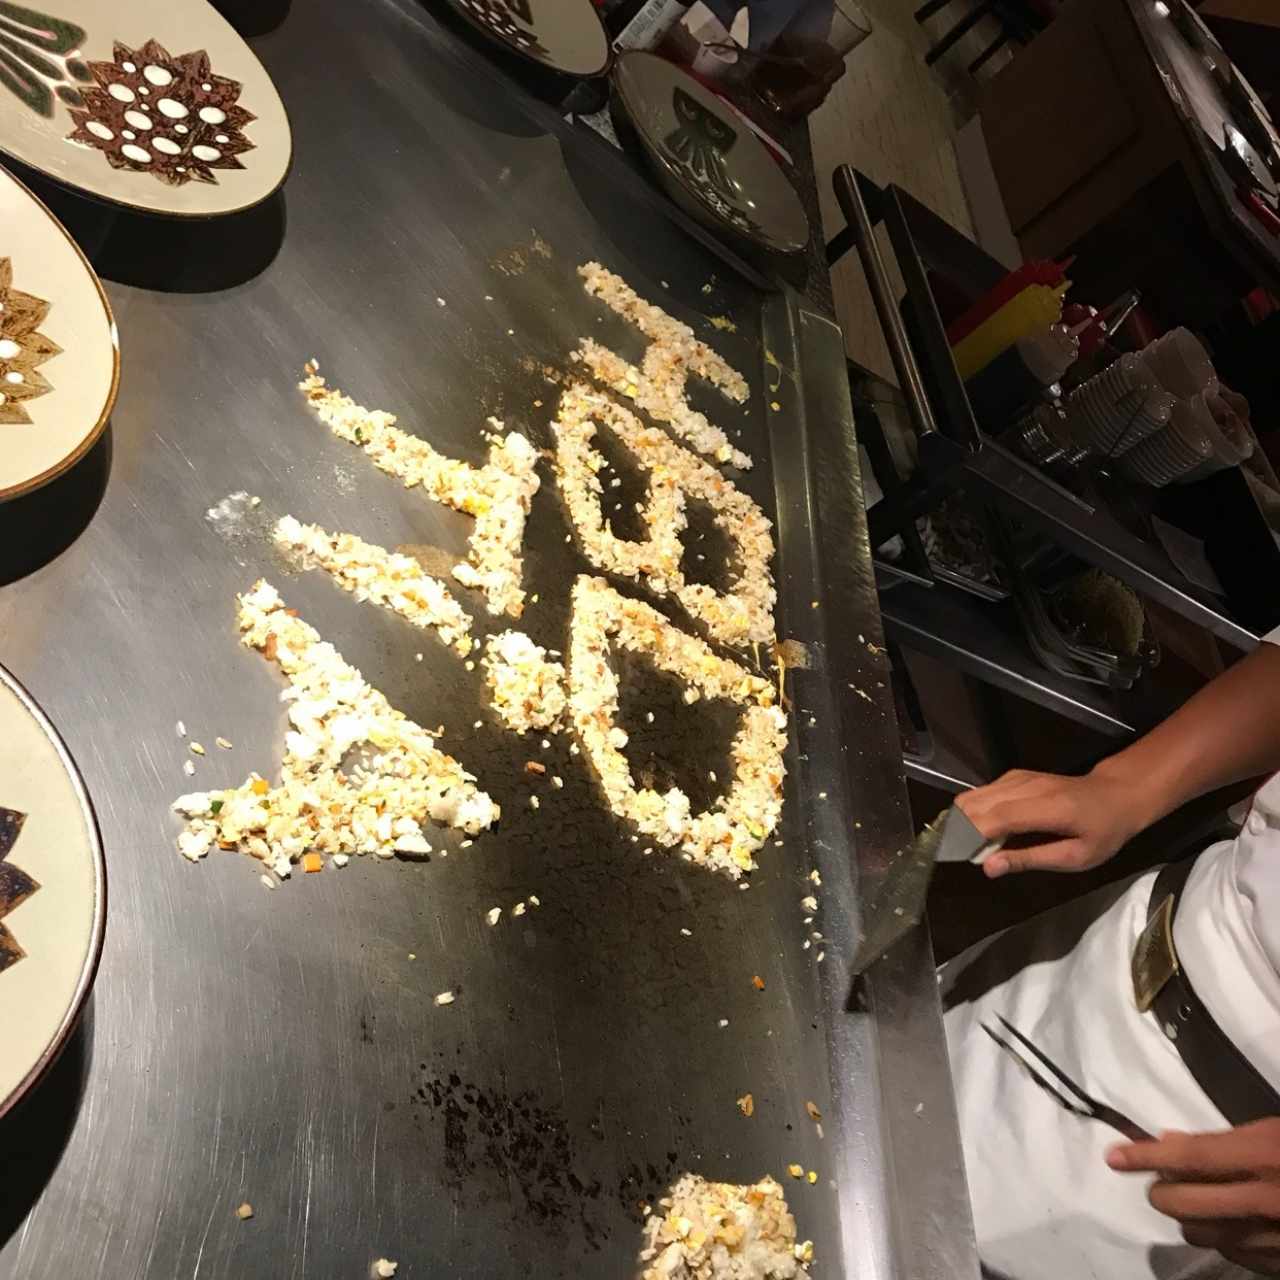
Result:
pixel 284 1048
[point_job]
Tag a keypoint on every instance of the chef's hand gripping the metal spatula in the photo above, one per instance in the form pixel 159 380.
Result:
pixel 1072 824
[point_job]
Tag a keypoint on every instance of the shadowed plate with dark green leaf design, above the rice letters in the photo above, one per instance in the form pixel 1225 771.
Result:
pixel 710 162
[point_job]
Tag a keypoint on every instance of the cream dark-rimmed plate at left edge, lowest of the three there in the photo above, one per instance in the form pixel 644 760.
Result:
pixel 53 893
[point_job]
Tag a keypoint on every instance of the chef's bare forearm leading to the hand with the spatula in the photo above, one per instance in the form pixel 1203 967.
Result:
pixel 1227 733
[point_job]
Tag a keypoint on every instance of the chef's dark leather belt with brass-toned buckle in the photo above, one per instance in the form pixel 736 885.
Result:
pixel 1231 1081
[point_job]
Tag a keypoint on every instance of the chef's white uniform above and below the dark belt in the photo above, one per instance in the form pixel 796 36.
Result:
pixel 1046 1206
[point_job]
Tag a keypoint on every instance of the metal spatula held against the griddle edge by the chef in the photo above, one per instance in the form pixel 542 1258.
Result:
pixel 898 904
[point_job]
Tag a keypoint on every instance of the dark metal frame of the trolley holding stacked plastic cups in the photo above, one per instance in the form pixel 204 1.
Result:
pixel 921 612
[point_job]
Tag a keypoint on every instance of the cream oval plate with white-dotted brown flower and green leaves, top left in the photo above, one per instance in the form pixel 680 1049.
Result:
pixel 153 104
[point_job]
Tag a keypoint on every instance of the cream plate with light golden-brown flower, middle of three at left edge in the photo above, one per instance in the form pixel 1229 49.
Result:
pixel 60 359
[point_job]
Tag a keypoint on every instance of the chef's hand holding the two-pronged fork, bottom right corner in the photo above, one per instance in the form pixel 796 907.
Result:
pixel 1224 1188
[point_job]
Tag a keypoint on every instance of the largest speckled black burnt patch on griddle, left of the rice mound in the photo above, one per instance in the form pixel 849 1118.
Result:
pixel 499 1145
